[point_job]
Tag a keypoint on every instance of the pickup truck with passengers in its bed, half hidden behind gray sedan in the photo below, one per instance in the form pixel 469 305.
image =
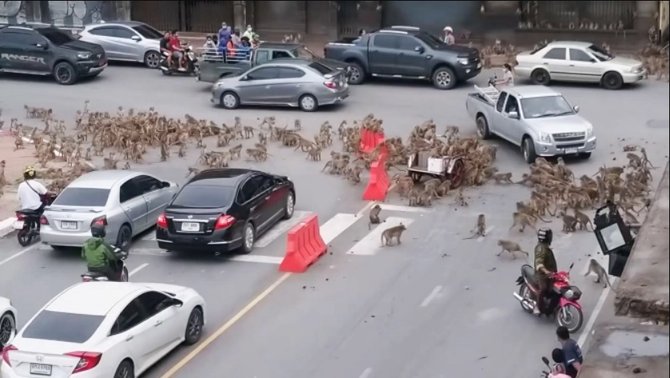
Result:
pixel 213 66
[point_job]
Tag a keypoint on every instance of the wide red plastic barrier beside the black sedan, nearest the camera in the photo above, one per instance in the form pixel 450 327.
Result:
pixel 304 246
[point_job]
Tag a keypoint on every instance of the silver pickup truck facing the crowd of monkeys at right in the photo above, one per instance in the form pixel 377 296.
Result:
pixel 537 119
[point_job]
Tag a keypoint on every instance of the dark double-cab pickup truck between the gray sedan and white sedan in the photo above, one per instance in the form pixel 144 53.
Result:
pixel 406 52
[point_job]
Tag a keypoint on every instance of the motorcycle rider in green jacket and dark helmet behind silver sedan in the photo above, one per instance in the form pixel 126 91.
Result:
pixel 100 256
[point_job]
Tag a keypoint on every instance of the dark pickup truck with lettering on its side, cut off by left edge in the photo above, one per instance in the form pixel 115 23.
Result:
pixel 46 50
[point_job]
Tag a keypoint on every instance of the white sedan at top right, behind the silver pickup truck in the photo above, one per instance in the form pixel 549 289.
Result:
pixel 578 62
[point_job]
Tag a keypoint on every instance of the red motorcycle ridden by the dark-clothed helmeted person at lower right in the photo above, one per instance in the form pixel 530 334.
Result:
pixel 562 302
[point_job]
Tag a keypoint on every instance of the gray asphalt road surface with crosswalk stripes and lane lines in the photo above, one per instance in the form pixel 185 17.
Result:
pixel 436 306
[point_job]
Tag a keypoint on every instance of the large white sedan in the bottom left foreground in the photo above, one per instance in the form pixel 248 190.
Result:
pixel 105 329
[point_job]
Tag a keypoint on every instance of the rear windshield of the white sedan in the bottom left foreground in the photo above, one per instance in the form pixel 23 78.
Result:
pixel 63 326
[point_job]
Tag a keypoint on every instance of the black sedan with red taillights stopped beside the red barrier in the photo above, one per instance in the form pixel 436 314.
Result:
pixel 221 210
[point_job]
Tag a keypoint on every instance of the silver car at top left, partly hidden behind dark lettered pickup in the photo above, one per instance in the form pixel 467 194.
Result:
pixel 129 41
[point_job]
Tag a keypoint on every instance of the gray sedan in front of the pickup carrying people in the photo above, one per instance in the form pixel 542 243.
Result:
pixel 289 82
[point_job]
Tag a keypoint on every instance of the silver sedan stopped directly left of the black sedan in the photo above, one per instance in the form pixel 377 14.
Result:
pixel 127 202
